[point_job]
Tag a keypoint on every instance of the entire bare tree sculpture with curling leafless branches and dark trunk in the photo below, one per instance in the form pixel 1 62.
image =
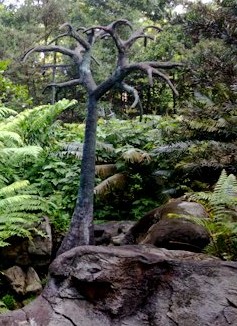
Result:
pixel 81 227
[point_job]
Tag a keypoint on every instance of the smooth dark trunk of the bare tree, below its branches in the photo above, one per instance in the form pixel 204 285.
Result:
pixel 81 228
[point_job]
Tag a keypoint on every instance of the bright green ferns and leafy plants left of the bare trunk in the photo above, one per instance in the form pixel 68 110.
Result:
pixel 21 204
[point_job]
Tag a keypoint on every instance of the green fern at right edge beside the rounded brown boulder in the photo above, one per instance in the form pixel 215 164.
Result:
pixel 222 224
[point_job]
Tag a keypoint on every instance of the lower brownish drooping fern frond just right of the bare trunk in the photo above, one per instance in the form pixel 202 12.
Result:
pixel 116 181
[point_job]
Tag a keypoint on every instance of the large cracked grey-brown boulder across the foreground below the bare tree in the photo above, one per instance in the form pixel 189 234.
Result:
pixel 133 286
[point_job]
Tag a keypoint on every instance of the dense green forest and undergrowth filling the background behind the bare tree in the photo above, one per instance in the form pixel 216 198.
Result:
pixel 181 145
